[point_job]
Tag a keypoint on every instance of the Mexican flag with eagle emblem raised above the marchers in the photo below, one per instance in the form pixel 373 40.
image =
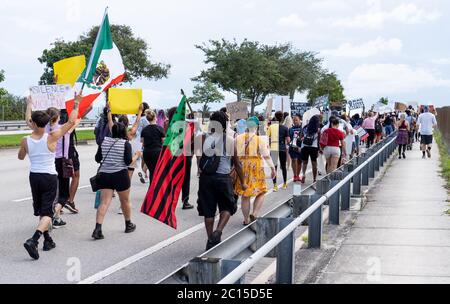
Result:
pixel 105 69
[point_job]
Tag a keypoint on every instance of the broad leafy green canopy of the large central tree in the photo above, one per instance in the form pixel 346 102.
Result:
pixel 253 70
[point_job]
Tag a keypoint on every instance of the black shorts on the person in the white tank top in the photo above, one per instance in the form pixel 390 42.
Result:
pixel 44 189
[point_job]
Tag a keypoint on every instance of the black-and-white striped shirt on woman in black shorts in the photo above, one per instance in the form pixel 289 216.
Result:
pixel 118 158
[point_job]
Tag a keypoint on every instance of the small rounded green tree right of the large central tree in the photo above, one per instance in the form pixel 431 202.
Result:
pixel 329 85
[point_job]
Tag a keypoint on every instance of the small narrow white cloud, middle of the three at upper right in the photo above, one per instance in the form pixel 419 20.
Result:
pixel 370 48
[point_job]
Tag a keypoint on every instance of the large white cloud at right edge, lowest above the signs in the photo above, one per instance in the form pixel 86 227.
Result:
pixel 381 79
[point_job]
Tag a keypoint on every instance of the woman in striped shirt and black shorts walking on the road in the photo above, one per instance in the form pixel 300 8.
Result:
pixel 114 157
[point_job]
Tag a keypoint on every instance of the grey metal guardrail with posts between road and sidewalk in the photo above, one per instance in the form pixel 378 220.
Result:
pixel 273 234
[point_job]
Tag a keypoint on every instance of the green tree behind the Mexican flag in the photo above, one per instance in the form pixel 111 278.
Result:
pixel 134 51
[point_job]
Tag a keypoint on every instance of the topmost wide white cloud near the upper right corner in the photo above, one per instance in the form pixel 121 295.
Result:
pixel 376 17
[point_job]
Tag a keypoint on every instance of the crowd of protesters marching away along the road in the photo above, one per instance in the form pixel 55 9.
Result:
pixel 232 157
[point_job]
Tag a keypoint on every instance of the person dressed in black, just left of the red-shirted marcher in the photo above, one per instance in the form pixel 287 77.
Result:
pixel 310 146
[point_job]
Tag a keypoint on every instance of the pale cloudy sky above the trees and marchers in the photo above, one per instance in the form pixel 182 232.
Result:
pixel 394 48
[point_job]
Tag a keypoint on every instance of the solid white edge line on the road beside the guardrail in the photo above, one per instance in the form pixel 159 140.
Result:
pixel 149 251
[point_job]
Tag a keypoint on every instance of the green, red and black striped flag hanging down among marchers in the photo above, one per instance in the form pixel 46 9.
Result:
pixel 162 197
